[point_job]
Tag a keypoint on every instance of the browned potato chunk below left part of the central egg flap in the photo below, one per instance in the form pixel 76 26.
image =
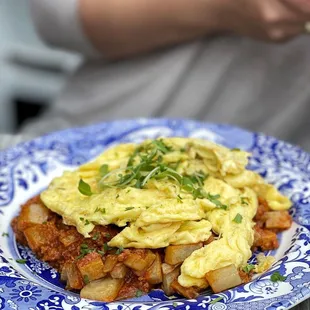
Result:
pixel 140 259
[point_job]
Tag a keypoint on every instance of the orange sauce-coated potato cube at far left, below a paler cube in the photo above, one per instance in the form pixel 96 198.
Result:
pixel 38 235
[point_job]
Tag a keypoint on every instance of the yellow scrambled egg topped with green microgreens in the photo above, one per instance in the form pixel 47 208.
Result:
pixel 193 188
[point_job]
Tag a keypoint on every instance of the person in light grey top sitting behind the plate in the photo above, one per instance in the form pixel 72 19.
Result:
pixel 214 60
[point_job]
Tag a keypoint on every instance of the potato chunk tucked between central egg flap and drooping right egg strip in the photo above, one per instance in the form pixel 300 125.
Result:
pixel 176 254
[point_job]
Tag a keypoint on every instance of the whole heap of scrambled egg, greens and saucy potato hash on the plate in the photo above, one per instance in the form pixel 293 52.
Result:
pixel 181 214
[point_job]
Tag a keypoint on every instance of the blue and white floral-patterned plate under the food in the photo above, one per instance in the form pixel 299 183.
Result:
pixel 28 168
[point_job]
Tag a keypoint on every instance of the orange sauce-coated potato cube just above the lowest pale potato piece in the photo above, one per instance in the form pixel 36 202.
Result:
pixel 91 266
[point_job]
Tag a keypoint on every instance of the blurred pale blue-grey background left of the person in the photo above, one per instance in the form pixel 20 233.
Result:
pixel 31 73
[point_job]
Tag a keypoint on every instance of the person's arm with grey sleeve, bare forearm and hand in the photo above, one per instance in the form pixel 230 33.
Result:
pixel 125 28
